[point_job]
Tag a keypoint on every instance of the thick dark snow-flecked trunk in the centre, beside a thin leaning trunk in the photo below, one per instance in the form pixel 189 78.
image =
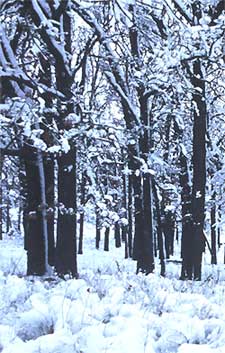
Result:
pixel 143 235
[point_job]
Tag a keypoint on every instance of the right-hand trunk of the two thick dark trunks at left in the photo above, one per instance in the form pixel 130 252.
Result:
pixel 66 247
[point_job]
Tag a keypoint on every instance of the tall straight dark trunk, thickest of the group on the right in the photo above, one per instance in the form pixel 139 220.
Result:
pixel 199 168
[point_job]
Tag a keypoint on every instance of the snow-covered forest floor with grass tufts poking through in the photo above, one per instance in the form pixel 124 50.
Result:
pixel 109 309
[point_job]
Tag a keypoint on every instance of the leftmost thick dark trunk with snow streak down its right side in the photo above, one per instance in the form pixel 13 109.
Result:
pixel 35 237
